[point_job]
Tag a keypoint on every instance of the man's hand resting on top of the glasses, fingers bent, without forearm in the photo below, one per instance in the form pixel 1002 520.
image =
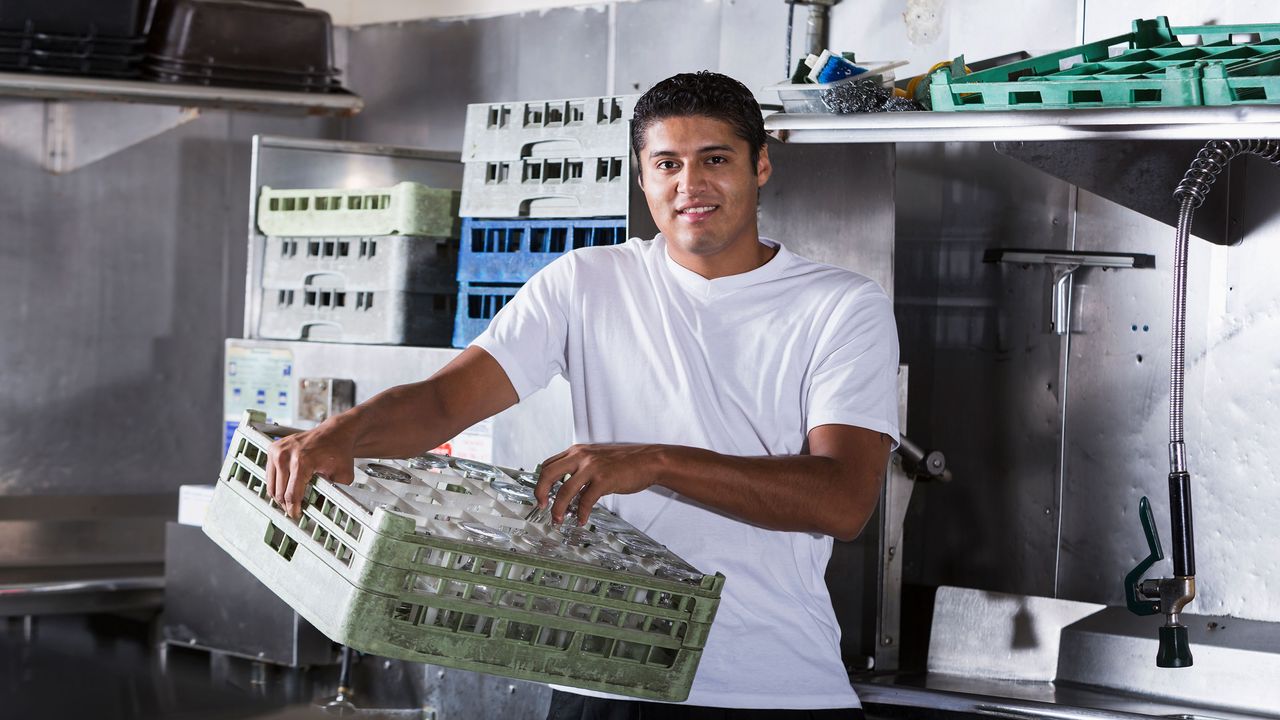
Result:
pixel 591 472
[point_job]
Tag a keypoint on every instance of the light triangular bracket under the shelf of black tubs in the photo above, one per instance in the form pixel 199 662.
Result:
pixel 66 135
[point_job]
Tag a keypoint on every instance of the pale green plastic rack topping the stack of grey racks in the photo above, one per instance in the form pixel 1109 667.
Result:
pixel 408 208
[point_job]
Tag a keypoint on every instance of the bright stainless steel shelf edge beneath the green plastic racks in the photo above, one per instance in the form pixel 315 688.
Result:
pixel 1154 124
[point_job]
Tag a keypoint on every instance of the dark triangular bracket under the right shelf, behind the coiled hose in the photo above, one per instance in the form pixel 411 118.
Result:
pixel 1140 176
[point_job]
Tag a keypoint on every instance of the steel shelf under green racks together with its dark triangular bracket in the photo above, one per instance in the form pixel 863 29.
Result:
pixel 1073 145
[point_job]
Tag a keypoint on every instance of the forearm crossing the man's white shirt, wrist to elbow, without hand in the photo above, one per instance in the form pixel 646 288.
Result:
pixel 797 493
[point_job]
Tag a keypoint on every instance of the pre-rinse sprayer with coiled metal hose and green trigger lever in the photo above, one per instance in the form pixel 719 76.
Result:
pixel 1169 596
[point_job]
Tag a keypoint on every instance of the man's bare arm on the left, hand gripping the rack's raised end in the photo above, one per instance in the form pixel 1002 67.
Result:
pixel 401 422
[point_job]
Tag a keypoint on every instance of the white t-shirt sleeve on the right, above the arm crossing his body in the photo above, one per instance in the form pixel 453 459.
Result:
pixel 854 381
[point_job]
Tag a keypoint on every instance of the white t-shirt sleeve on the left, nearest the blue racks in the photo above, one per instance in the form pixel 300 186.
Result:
pixel 528 338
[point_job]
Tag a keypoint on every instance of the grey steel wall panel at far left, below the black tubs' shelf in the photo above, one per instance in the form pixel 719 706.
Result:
pixel 117 277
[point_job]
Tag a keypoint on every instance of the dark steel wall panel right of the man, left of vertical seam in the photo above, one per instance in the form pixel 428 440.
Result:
pixel 985 372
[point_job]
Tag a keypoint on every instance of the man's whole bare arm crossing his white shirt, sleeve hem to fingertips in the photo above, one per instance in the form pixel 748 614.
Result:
pixel 833 490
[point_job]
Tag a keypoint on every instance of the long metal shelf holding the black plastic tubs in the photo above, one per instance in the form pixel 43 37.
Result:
pixel 58 88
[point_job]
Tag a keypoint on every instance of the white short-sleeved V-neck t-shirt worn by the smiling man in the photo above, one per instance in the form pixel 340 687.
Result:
pixel 743 366
